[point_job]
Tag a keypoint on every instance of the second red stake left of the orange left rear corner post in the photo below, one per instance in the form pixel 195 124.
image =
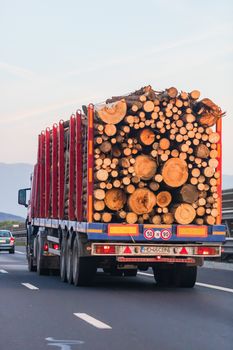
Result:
pixel 71 213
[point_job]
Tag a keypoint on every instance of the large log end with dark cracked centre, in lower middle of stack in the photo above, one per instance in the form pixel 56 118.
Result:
pixel 142 201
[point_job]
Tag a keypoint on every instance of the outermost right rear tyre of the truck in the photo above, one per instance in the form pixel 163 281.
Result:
pixel 185 276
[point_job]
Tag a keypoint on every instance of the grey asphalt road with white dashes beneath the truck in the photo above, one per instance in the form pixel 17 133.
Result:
pixel 134 313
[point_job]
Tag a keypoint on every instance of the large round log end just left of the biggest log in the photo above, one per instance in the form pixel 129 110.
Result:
pixel 145 167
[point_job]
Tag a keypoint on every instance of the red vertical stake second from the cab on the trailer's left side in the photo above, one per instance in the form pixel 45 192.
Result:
pixel 47 173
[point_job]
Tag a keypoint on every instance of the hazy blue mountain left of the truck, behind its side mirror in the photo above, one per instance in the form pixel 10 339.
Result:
pixel 12 178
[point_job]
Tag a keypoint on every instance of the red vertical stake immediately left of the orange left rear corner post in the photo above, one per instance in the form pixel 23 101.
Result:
pixel 79 167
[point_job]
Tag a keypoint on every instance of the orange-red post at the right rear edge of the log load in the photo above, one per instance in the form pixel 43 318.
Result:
pixel 219 169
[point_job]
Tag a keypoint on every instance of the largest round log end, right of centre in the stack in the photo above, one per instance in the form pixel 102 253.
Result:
pixel 175 172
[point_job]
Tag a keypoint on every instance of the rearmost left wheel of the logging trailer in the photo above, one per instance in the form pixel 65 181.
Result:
pixel 84 269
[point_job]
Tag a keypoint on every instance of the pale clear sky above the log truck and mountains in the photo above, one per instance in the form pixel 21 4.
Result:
pixel 57 55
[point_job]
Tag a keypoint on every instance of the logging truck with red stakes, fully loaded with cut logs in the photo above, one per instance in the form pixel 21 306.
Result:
pixel 131 184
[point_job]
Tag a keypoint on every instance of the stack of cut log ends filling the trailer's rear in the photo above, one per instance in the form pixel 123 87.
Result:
pixel 156 158
